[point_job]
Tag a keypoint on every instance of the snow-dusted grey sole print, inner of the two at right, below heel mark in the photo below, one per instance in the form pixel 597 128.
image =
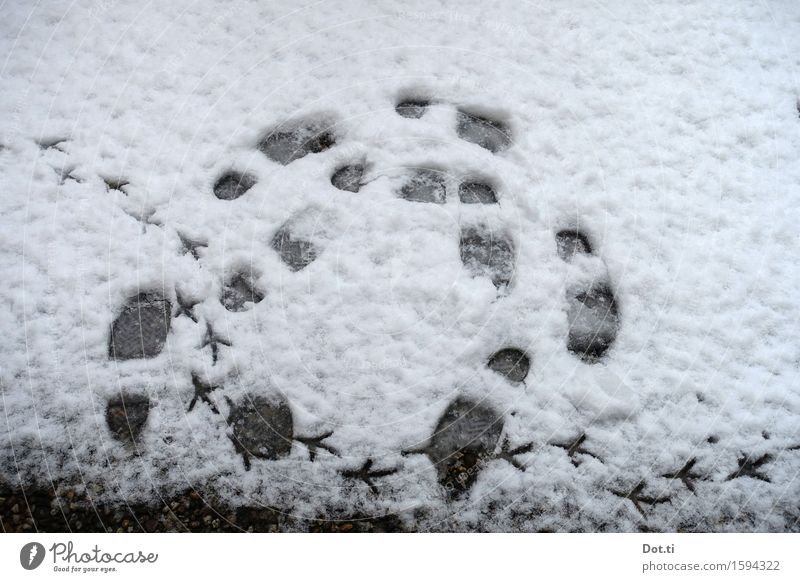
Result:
pixel 487 254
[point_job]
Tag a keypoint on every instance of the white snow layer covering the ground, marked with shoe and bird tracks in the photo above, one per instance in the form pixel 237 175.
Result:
pixel 667 134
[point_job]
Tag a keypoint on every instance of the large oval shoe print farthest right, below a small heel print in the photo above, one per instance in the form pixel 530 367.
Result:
pixel 593 322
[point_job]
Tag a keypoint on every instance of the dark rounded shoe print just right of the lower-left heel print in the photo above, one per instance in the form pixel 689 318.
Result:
pixel 261 427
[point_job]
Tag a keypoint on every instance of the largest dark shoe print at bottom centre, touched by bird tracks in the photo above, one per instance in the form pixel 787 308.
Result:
pixel 465 438
